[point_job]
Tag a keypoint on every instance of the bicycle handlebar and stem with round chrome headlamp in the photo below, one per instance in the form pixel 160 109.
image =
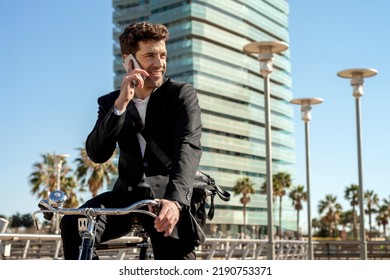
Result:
pixel 88 225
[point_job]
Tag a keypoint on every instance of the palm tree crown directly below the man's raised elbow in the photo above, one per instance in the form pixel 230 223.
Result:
pixel 94 175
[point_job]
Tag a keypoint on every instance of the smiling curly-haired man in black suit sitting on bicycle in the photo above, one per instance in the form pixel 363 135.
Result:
pixel 171 115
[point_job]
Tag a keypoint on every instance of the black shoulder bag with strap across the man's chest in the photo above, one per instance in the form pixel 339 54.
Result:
pixel 204 184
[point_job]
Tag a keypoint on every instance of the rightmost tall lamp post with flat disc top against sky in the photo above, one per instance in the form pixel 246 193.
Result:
pixel 356 75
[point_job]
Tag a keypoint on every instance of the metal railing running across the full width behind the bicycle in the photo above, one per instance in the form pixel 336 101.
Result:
pixel 49 246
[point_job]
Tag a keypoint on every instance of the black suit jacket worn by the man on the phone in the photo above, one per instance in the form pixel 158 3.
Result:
pixel 173 120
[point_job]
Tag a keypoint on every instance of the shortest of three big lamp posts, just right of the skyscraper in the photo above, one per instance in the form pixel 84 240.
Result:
pixel 306 117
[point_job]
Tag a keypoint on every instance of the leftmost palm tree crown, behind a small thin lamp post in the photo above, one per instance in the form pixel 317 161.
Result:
pixel 44 179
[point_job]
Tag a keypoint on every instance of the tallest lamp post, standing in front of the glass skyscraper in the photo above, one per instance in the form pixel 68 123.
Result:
pixel 265 50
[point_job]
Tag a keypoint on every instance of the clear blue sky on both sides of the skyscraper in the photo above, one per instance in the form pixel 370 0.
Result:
pixel 56 59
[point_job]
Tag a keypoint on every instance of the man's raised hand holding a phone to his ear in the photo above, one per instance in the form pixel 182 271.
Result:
pixel 134 77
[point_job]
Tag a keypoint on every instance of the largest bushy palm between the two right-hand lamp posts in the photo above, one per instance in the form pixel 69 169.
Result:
pixel 332 209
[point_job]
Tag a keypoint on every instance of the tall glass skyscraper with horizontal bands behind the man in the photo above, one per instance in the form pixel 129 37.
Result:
pixel 206 49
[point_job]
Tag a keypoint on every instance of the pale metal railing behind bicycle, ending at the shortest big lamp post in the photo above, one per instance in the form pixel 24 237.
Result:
pixel 49 246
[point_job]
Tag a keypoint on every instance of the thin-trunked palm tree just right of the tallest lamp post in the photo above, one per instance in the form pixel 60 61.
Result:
pixel 280 183
